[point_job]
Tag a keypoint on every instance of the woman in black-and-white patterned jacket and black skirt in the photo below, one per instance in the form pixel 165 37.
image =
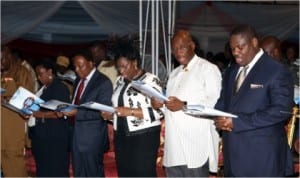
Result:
pixel 136 123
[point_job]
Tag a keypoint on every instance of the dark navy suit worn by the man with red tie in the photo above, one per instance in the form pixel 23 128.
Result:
pixel 90 130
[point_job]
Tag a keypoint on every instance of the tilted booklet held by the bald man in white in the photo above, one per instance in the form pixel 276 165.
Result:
pixel 148 90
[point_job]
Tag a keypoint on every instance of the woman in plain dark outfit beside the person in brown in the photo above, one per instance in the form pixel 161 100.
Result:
pixel 49 129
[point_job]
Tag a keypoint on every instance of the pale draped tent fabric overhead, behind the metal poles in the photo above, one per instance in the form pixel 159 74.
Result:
pixel 71 22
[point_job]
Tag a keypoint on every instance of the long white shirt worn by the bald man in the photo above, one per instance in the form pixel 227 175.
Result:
pixel 189 140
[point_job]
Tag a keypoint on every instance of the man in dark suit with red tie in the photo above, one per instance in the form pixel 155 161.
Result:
pixel 90 130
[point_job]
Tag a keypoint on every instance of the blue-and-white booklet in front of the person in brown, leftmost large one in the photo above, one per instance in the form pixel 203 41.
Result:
pixel 23 101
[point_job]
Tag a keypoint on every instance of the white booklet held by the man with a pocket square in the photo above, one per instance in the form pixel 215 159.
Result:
pixel 200 110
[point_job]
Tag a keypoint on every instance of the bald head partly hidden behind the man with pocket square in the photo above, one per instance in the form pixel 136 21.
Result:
pixel 271 45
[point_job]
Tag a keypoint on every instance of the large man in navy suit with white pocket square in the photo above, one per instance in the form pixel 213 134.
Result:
pixel 255 143
